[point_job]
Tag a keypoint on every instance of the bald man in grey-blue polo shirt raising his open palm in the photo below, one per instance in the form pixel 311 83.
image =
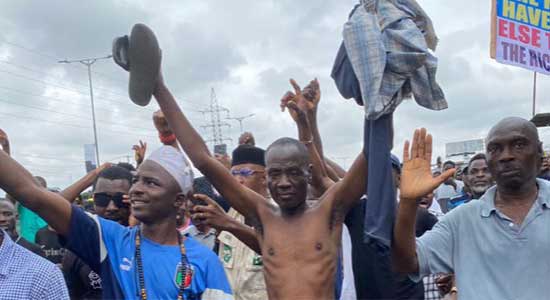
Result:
pixel 497 246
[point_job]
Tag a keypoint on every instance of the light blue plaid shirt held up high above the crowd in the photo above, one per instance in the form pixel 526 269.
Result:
pixel 387 44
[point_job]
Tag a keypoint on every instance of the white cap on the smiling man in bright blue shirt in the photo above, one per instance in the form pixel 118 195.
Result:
pixel 175 163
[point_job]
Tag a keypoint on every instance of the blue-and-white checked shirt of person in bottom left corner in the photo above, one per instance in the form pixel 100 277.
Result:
pixel 25 275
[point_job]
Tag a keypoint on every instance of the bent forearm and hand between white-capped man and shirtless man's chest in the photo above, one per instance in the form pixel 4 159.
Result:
pixel 214 216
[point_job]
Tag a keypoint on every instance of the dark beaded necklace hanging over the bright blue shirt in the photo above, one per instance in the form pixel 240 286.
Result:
pixel 186 270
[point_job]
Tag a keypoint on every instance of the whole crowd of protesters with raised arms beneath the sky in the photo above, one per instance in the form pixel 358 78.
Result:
pixel 285 221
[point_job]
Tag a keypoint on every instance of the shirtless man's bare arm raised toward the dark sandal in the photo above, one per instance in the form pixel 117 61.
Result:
pixel 242 199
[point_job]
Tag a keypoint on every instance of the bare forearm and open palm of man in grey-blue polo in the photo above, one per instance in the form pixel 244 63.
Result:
pixel 416 182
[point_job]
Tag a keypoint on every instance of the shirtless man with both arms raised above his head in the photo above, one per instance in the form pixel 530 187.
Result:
pixel 299 243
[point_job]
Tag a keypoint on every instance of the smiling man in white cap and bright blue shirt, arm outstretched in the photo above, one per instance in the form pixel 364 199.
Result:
pixel 150 261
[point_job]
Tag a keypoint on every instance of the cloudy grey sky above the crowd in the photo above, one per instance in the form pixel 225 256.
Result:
pixel 246 50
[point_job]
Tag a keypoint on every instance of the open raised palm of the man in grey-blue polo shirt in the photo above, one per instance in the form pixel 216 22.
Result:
pixel 416 176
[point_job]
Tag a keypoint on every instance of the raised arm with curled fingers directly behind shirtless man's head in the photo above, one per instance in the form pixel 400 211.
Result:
pixel 321 181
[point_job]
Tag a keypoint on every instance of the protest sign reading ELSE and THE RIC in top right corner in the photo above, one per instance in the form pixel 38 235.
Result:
pixel 520 32
